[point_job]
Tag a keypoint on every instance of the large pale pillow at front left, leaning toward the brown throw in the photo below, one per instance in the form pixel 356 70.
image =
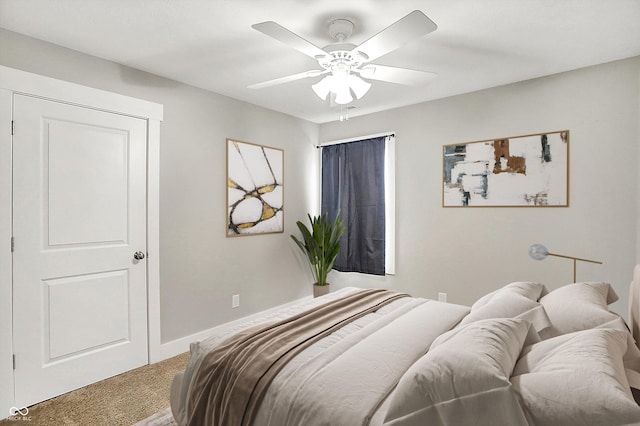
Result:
pixel 465 371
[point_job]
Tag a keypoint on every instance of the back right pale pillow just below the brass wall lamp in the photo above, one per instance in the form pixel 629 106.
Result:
pixel 581 306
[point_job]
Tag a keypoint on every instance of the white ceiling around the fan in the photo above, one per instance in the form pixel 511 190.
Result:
pixel 210 43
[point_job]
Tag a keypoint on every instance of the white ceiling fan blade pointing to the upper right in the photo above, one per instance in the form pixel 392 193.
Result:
pixel 413 26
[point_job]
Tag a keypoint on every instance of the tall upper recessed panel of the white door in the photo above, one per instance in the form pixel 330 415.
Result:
pixel 87 195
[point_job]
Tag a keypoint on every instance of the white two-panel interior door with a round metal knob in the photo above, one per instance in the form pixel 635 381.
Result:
pixel 80 306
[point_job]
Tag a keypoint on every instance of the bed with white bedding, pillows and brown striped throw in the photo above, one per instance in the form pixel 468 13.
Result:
pixel 518 356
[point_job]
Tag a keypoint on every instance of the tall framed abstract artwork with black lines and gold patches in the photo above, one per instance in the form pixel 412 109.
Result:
pixel 255 196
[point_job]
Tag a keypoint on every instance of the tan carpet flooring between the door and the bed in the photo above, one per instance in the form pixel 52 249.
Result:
pixel 122 400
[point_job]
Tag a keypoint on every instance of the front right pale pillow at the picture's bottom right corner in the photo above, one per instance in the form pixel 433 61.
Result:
pixel 576 379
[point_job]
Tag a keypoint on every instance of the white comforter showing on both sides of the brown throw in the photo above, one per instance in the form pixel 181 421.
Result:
pixel 366 357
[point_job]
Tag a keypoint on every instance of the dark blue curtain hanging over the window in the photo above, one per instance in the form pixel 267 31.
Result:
pixel 353 184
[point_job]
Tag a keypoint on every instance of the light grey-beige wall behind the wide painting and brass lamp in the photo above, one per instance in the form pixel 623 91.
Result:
pixel 468 252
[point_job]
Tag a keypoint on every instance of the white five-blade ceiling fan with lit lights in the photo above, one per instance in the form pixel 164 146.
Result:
pixel 345 63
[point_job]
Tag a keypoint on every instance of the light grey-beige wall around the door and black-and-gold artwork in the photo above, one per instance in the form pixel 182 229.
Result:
pixel 200 269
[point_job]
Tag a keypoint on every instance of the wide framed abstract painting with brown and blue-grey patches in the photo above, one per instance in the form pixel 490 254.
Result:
pixel 519 171
